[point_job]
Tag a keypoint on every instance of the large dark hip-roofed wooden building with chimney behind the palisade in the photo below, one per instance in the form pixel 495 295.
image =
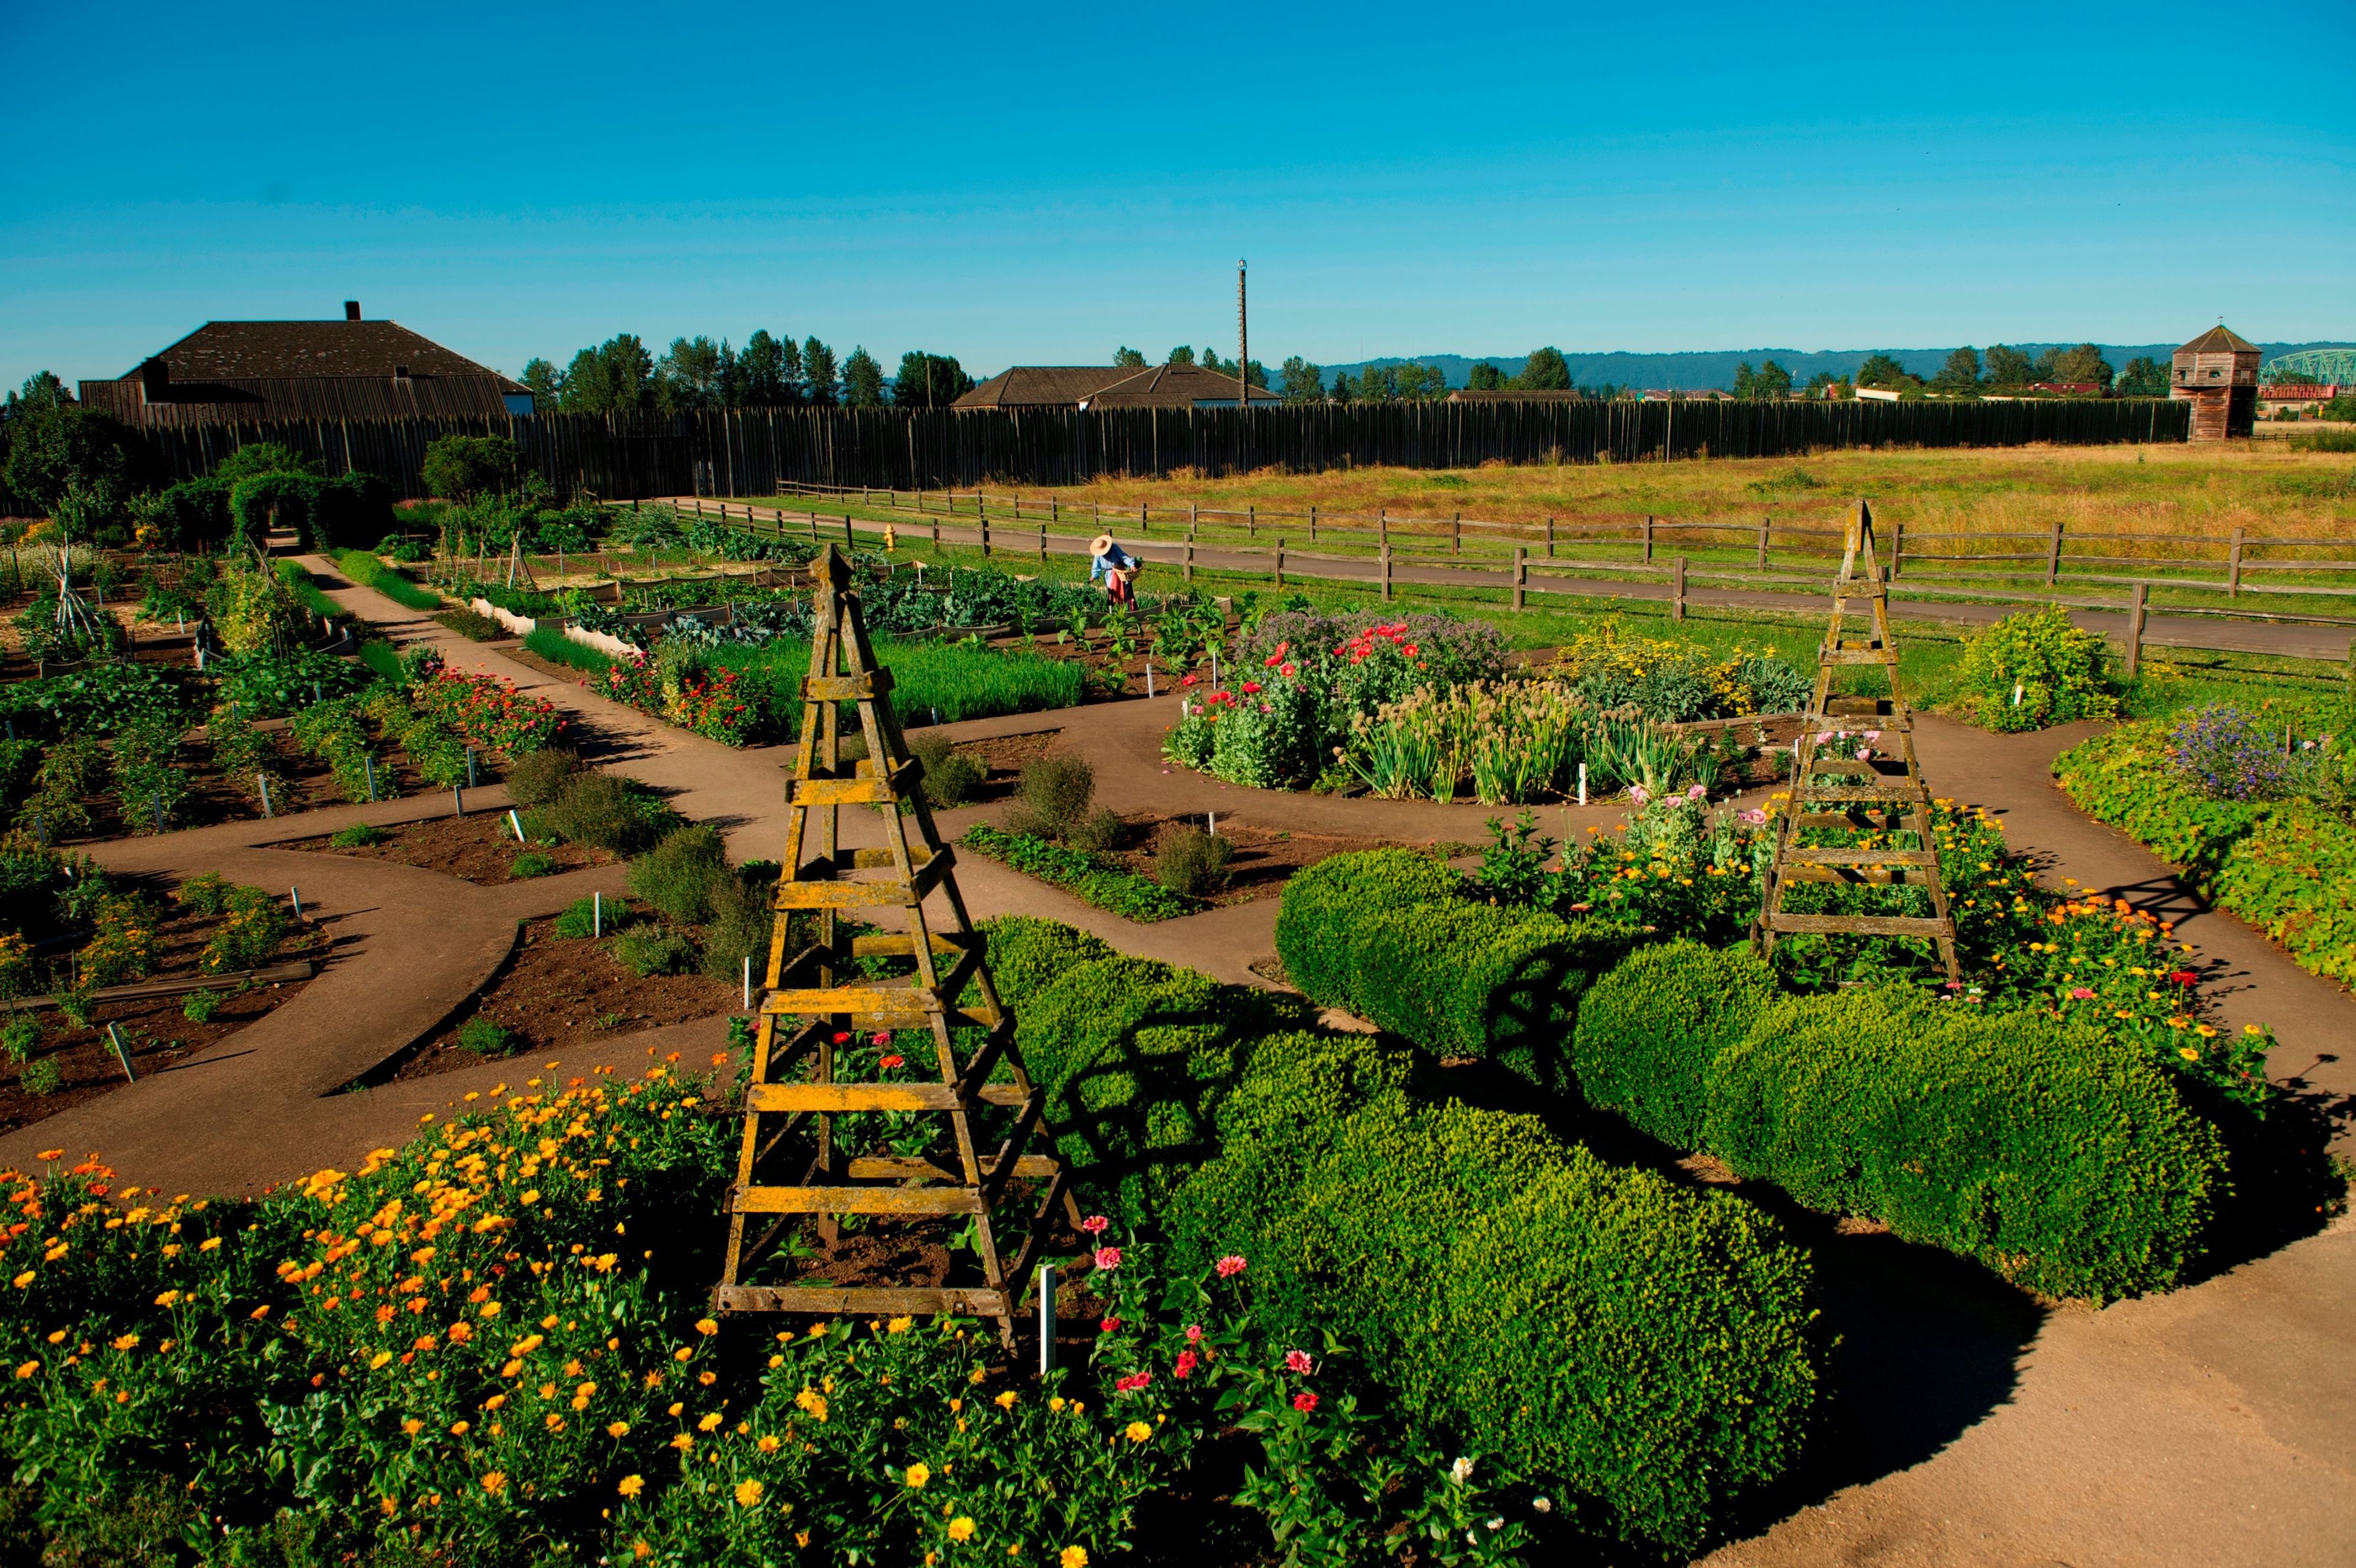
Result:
pixel 249 371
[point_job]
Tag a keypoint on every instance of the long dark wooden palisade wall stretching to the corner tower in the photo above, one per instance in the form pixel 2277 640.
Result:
pixel 753 451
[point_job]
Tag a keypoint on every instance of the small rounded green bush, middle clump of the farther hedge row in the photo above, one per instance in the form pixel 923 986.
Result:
pixel 1650 1030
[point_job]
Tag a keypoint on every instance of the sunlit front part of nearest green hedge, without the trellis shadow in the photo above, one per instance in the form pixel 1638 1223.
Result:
pixel 1601 1331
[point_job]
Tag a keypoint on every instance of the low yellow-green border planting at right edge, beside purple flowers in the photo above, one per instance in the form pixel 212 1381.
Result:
pixel 2282 865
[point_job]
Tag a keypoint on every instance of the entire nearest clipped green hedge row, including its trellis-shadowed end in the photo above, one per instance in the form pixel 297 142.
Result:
pixel 1643 1353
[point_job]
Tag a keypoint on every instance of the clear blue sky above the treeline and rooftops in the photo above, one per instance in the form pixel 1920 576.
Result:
pixel 1040 185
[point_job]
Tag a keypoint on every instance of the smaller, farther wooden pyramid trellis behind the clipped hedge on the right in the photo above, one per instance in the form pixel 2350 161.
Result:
pixel 1837 788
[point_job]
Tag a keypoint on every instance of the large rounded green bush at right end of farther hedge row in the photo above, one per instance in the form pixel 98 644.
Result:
pixel 2053 1155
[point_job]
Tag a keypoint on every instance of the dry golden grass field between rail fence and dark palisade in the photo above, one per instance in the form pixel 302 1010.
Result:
pixel 2178 491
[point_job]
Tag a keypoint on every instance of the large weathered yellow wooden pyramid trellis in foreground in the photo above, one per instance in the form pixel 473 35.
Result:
pixel 814 997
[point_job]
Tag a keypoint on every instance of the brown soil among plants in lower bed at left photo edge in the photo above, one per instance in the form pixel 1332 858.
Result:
pixel 157 1030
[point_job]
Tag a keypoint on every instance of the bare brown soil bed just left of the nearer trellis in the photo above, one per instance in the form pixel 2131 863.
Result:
pixel 564 992
